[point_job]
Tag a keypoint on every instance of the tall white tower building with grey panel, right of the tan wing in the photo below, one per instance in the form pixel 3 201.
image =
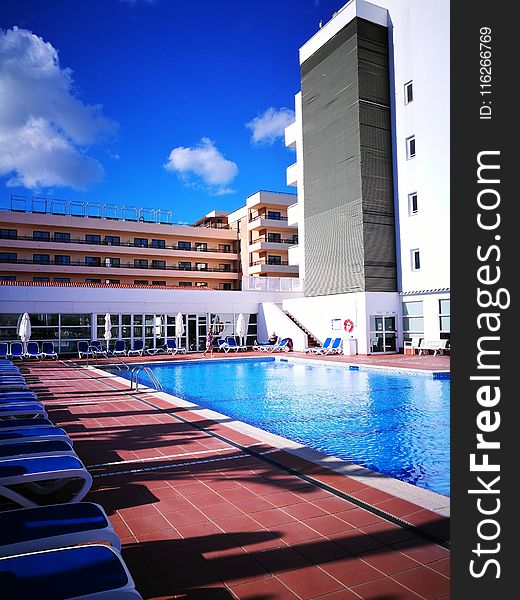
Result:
pixel 372 174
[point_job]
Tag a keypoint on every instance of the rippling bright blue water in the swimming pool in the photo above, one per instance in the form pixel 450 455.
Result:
pixel 396 424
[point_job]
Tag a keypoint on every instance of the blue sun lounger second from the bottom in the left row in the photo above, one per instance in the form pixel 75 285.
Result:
pixel 54 526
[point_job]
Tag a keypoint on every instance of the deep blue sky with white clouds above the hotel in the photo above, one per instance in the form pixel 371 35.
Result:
pixel 171 104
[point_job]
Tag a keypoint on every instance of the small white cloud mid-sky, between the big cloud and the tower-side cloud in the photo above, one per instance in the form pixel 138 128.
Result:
pixel 206 163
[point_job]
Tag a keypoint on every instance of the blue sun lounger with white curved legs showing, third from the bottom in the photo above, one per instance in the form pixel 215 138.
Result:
pixel 43 476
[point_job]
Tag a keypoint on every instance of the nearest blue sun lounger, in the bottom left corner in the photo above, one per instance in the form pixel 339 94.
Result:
pixel 87 572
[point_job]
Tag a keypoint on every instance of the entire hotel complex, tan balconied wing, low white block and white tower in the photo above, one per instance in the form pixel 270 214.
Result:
pixel 365 239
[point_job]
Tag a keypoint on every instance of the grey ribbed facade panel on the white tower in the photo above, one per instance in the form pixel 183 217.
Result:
pixel 347 155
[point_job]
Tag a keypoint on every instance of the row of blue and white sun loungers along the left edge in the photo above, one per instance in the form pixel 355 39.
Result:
pixel 61 550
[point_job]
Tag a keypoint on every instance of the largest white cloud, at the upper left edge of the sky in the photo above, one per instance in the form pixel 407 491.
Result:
pixel 44 126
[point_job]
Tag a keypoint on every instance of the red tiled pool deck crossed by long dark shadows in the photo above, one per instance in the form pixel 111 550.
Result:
pixel 199 517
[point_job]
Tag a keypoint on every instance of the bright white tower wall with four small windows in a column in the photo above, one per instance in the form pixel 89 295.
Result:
pixel 421 53
